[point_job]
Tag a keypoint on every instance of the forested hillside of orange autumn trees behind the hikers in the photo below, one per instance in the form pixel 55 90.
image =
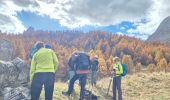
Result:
pixel 135 53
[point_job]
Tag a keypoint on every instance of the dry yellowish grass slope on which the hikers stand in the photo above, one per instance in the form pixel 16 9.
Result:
pixel 155 86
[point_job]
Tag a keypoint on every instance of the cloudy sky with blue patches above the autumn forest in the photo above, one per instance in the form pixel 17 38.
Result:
pixel 138 18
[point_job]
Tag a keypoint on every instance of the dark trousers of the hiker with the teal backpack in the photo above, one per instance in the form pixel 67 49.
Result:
pixel 117 87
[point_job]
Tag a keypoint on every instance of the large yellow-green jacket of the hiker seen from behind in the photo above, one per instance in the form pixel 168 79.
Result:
pixel 44 60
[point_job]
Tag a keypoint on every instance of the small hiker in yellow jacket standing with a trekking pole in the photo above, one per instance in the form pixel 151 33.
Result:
pixel 117 71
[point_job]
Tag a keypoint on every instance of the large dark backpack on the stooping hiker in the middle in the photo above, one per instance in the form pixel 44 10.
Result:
pixel 83 61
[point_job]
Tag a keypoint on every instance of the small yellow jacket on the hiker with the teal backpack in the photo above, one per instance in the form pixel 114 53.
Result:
pixel 118 69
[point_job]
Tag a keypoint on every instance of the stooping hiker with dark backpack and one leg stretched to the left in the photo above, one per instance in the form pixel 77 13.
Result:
pixel 82 63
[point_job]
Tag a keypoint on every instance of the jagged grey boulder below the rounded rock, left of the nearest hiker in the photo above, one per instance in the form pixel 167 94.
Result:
pixel 13 74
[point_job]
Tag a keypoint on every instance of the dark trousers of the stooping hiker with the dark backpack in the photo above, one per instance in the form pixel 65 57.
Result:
pixel 82 81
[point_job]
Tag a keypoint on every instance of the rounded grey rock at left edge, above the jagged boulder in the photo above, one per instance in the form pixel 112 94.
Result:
pixel 6 50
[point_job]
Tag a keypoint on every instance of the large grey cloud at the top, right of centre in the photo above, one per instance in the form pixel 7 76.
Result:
pixel 109 11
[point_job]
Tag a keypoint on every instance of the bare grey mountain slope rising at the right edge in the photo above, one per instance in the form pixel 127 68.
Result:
pixel 162 34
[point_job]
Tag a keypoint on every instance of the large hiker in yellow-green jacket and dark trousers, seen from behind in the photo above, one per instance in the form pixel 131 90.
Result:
pixel 42 72
